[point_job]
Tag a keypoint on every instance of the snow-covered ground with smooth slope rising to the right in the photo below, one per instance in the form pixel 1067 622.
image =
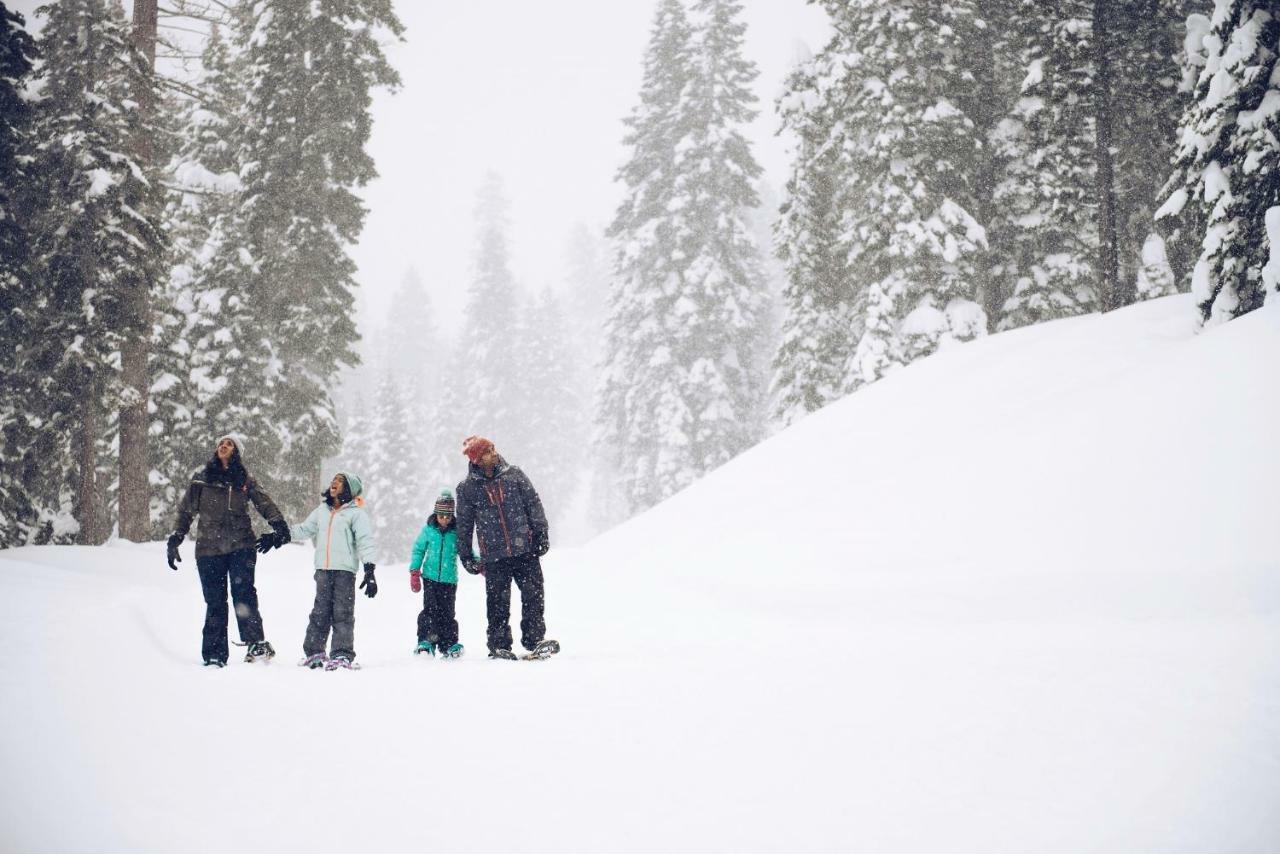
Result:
pixel 1023 596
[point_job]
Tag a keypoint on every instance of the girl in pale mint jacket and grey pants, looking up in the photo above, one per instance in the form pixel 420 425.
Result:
pixel 345 541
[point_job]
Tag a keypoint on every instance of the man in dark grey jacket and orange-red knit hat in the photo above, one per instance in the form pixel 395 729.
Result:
pixel 501 509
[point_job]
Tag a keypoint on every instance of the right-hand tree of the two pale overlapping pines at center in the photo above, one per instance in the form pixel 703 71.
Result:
pixel 723 289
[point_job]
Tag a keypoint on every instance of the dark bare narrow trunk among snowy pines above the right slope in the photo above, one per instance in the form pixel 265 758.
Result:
pixel 1112 293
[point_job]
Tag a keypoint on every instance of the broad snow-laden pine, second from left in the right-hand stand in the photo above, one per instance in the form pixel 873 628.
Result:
pixel 911 154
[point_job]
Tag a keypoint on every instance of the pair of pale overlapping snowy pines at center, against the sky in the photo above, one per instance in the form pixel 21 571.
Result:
pixel 680 396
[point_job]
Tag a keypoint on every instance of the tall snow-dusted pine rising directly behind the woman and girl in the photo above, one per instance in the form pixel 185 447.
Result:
pixel 310 68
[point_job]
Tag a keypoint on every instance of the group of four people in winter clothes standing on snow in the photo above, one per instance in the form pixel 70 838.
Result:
pixel 496 504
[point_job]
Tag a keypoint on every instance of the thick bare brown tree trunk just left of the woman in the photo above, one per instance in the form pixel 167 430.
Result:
pixel 135 499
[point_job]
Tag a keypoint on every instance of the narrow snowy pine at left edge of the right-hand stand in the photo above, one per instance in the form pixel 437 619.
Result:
pixel 822 310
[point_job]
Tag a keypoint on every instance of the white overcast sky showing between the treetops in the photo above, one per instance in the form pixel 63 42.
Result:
pixel 537 93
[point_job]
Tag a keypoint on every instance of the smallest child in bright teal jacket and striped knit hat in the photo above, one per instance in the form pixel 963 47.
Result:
pixel 435 572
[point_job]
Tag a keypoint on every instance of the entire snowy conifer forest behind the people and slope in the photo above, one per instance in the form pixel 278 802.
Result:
pixel 181 190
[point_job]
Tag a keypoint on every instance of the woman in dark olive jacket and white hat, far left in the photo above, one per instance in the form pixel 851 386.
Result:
pixel 218 499
